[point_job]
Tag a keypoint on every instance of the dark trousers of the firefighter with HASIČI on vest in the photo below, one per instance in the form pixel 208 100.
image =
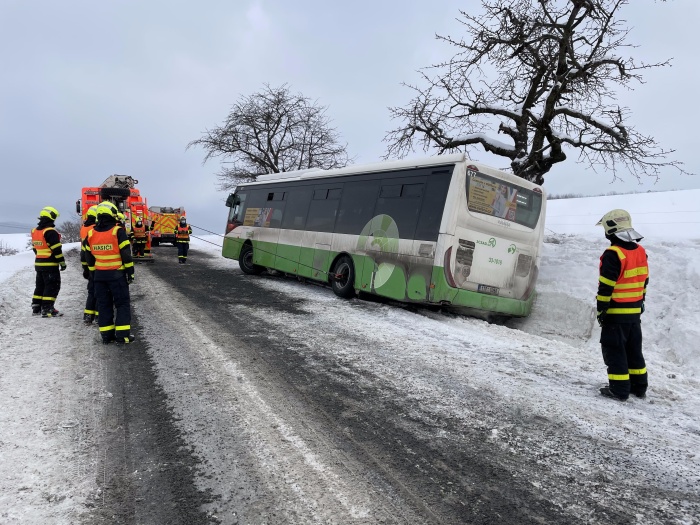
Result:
pixel 113 294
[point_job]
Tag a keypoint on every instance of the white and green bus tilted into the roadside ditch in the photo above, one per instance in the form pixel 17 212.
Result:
pixel 443 231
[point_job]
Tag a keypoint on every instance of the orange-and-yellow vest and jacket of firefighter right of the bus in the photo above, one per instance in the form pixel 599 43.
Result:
pixel 622 295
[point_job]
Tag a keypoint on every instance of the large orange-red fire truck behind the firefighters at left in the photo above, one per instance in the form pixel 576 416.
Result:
pixel 122 191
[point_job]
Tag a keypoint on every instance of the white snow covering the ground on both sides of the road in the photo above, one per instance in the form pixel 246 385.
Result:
pixel 549 363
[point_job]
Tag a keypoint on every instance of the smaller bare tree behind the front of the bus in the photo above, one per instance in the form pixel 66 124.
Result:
pixel 273 131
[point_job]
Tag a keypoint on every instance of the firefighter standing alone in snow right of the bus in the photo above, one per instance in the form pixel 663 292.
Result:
pixel 622 285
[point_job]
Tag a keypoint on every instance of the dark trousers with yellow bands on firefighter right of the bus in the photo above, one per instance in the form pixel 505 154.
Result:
pixel 622 353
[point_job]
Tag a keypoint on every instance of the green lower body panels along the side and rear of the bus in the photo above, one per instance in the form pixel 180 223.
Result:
pixel 398 276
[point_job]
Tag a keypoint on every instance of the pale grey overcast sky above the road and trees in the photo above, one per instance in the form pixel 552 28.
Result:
pixel 92 88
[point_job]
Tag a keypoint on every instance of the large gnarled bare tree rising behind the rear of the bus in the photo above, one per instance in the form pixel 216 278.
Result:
pixel 541 73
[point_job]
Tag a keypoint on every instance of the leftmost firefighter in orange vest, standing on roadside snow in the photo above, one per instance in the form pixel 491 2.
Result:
pixel 46 244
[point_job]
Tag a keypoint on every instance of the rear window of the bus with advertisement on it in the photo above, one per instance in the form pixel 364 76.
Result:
pixel 503 200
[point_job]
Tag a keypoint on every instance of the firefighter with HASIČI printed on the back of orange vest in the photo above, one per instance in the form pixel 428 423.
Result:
pixel 108 254
